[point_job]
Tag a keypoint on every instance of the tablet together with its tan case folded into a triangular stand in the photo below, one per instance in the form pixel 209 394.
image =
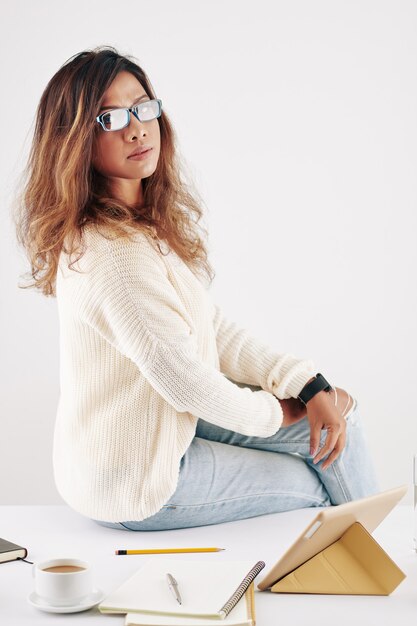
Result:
pixel 336 553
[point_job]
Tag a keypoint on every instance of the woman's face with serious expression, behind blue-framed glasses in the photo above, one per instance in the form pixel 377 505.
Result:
pixel 111 150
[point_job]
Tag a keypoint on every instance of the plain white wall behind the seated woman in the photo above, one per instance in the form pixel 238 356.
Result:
pixel 297 120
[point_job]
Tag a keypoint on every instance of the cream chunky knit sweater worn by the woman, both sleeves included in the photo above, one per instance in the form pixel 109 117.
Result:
pixel 144 353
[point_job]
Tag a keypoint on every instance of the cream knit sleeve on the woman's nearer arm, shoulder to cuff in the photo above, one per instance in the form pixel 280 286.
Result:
pixel 131 302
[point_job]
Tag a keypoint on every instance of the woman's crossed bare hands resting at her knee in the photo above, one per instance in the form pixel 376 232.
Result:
pixel 322 414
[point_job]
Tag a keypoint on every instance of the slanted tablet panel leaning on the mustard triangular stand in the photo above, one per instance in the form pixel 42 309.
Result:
pixel 329 525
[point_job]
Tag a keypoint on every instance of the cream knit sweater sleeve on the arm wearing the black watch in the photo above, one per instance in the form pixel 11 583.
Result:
pixel 245 359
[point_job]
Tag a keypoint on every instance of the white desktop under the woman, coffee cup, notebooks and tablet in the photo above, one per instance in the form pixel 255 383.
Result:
pixel 53 531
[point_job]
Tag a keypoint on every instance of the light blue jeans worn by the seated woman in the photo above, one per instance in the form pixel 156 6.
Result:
pixel 225 476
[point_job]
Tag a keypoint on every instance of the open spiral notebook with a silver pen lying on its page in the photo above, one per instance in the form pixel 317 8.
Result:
pixel 209 589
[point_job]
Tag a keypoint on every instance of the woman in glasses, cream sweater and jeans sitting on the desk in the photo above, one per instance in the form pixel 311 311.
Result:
pixel 169 415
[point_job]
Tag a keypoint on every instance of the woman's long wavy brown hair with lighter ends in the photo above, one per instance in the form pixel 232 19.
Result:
pixel 61 192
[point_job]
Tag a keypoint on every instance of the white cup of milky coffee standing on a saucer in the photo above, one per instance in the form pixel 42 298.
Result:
pixel 63 582
